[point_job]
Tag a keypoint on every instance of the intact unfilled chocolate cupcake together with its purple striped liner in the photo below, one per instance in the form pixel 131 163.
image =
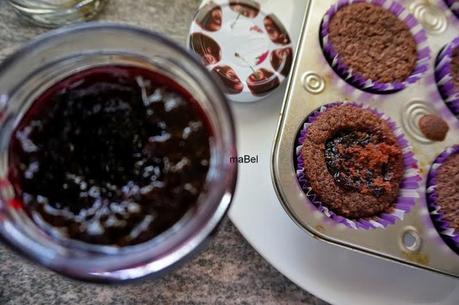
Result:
pixel 374 45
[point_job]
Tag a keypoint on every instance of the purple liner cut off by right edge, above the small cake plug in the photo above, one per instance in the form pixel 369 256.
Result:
pixel 443 76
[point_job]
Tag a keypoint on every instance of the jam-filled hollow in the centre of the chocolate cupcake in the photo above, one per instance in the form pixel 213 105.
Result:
pixel 359 161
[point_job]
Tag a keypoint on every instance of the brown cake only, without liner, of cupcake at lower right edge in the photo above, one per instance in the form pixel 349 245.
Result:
pixel 448 191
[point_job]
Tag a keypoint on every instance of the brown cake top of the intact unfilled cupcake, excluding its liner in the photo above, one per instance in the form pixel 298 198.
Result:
pixel 373 42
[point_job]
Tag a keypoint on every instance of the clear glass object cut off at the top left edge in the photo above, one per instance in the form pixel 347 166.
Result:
pixel 53 13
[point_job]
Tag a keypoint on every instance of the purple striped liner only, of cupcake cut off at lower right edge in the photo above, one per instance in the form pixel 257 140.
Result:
pixel 449 235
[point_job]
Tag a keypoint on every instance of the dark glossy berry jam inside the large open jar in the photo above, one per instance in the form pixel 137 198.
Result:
pixel 112 155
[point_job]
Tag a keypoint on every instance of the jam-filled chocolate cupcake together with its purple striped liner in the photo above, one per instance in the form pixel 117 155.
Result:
pixel 360 171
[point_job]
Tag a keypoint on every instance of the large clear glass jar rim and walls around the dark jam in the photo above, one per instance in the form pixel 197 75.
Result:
pixel 54 56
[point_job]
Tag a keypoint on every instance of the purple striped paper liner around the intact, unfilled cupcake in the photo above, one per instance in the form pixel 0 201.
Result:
pixel 358 80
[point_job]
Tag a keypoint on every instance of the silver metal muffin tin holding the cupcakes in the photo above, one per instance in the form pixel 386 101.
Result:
pixel 413 239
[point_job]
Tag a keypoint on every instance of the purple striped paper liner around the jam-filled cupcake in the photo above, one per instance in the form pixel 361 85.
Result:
pixel 408 186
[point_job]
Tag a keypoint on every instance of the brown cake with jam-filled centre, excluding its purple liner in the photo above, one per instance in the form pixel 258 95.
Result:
pixel 354 163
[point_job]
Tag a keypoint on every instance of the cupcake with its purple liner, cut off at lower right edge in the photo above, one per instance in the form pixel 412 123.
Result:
pixel 443 195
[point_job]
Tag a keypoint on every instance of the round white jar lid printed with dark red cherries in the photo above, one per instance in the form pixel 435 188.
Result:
pixel 248 50
